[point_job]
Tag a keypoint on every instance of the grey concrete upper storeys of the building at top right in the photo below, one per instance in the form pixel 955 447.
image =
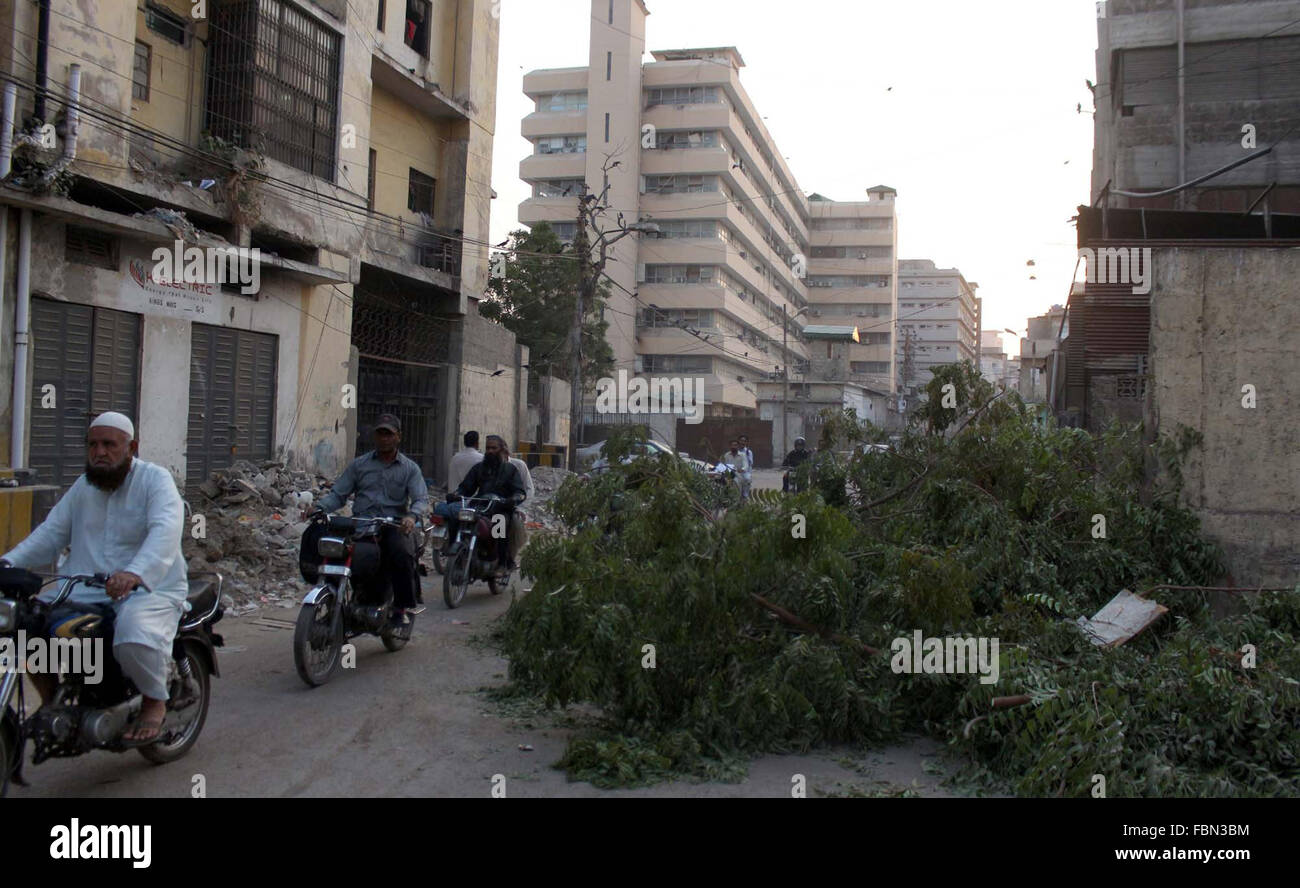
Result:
pixel 1186 88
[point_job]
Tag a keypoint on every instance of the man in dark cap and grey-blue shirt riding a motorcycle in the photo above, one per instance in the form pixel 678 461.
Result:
pixel 388 484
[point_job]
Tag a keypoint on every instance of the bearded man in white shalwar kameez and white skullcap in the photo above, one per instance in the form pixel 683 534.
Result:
pixel 124 518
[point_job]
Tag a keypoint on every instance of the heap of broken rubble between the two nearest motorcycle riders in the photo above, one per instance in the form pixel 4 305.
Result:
pixel 250 530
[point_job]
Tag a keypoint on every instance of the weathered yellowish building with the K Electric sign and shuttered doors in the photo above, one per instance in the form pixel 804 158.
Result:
pixel 346 141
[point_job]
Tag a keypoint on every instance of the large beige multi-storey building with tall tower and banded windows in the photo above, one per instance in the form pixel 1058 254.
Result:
pixel 739 249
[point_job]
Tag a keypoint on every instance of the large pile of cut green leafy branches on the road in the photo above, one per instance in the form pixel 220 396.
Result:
pixel 978 523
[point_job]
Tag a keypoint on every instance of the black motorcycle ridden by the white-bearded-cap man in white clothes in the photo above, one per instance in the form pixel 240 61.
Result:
pixel 85 716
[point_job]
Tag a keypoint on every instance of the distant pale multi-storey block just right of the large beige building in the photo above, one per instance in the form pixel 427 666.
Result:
pixel 939 322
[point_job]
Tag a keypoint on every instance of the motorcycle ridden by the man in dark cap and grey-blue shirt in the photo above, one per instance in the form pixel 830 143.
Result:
pixel 352 597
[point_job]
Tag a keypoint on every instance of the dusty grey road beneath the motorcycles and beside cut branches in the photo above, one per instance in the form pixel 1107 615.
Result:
pixel 411 724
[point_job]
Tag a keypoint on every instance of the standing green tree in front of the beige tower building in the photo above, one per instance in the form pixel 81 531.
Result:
pixel 532 294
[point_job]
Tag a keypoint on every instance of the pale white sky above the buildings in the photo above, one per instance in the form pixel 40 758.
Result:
pixel 974 133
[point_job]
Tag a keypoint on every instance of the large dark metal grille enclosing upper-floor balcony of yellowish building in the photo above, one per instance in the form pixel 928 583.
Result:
pixel 274 83
